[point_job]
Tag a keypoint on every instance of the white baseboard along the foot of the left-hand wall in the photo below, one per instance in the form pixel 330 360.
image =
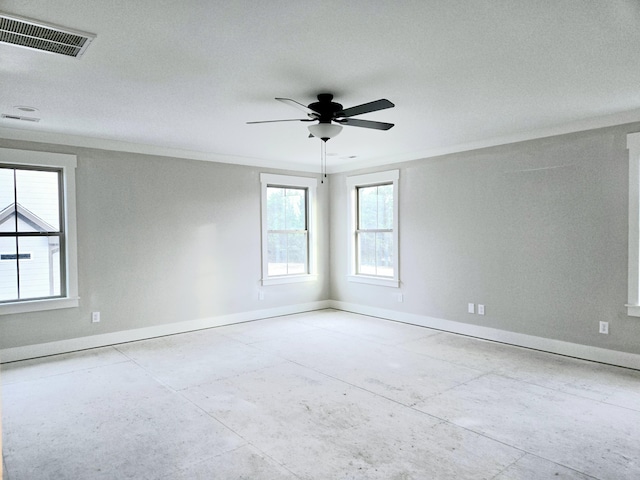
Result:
pixel 83 343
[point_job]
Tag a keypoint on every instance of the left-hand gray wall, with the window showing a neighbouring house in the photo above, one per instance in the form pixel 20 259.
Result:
pixel 163 240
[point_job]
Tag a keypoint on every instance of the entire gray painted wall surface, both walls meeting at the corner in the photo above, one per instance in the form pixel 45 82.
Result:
pixel 535 231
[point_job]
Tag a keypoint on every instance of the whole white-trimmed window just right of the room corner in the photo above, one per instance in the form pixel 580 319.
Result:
pixel 373 228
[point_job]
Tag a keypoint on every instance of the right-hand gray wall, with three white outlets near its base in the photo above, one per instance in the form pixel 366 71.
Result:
pixel 535 231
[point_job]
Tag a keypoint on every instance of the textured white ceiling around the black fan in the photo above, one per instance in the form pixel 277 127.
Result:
pixel 182 78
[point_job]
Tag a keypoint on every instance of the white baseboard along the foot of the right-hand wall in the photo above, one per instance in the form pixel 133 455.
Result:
pixel 585 352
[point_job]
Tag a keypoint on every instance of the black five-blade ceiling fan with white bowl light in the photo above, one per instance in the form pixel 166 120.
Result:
pixel 326 112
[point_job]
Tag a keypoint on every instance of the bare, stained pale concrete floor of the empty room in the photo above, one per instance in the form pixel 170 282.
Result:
pixel 323 395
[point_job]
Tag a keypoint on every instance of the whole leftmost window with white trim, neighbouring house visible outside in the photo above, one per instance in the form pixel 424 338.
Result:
pixel 37 231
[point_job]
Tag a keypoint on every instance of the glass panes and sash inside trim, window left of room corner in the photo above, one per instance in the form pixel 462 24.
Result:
pixel 287 231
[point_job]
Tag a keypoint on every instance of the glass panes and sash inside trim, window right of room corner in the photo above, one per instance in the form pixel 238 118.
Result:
pixel 374 231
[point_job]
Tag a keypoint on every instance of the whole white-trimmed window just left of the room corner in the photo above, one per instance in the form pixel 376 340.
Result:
pixel 288 248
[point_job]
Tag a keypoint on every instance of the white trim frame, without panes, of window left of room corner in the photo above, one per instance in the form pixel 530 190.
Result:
pixel 288 181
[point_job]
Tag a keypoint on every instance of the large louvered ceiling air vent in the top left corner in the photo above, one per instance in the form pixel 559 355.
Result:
pixel 24 32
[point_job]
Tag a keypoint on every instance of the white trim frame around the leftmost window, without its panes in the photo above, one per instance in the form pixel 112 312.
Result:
pixel 68 165
